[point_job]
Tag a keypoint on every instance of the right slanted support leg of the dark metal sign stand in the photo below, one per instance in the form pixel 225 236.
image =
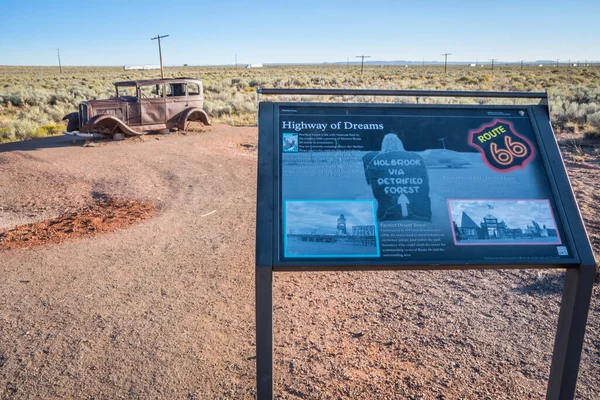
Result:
pixel 568 343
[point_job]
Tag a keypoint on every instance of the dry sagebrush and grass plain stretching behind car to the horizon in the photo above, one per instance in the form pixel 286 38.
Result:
pixel 33 100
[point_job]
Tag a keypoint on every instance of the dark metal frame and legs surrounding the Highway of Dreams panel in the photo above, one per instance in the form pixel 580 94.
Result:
pixel 580 269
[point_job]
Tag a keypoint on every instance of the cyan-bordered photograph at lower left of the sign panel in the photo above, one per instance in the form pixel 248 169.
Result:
pixel 335 228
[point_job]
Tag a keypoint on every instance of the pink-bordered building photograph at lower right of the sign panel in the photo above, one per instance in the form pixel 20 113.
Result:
pixel 503 222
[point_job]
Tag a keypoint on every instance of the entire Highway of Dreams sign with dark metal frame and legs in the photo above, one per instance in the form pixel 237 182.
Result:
pixel 391 162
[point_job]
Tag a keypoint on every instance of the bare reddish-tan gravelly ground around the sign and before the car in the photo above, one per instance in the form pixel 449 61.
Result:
pixel 165 308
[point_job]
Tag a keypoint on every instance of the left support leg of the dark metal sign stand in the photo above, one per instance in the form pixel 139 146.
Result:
pixel 264 333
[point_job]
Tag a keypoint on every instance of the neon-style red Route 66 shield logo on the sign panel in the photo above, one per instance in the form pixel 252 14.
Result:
pixel 501 147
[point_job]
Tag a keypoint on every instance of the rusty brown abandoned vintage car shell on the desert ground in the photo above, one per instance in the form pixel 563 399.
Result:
pixel 153 105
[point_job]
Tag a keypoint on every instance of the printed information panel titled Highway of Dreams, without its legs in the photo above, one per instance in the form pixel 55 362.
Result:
pixel 413 185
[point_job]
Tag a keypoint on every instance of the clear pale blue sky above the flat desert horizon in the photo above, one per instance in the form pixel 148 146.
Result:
pixel 212 32
